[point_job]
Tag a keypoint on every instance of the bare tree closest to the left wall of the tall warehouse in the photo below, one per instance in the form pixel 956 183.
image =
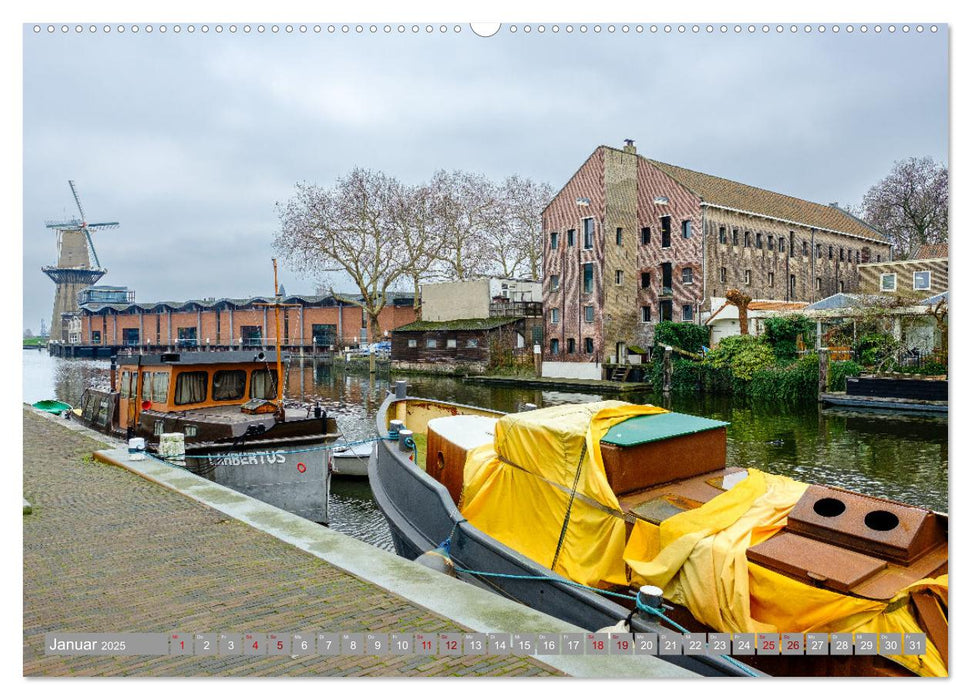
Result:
pixel 523 203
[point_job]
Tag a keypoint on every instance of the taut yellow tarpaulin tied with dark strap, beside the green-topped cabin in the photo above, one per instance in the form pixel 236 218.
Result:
pixel 519 489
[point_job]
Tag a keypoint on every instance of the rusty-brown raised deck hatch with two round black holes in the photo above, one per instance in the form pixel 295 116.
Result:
pixel 866 524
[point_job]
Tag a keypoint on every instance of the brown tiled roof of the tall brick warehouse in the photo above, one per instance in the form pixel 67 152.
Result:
pixel 728 193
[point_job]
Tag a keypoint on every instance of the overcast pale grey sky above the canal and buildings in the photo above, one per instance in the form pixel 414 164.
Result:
pixel 190 140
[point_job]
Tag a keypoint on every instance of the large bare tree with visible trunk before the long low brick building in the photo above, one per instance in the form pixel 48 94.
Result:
pixel 345 229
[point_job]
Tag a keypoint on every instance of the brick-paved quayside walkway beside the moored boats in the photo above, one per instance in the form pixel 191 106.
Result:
pixel 106 550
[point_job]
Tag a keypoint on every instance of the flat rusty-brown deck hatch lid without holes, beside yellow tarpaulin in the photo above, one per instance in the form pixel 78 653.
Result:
pixel 814 562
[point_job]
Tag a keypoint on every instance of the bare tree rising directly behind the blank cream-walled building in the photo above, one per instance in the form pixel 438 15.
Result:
pixel 465 217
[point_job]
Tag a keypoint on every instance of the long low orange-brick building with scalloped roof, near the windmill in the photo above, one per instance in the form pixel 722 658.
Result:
pixel 323 321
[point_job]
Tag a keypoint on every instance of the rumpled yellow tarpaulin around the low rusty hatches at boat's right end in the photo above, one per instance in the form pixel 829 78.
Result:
pixel 699 558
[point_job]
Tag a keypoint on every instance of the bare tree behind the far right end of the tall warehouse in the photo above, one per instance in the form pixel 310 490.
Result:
pixel 910 205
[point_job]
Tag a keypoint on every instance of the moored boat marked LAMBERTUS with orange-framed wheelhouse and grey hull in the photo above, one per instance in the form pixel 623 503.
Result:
pixel 238 429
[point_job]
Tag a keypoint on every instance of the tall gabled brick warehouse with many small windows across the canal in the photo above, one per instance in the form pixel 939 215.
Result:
pixel 630 241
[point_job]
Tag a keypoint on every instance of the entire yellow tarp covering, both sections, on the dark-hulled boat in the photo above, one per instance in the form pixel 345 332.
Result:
pixel 518 491
